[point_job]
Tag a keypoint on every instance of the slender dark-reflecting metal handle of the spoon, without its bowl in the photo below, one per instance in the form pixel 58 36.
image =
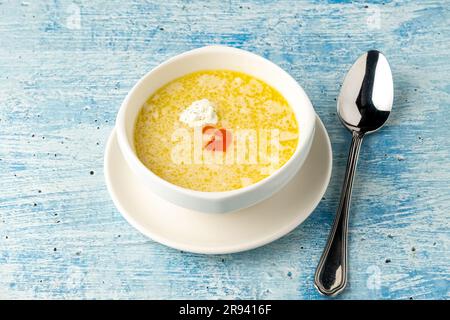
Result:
pixel 331 274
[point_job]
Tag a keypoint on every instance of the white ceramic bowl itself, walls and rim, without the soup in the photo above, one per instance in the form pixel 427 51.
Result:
pixel 216 57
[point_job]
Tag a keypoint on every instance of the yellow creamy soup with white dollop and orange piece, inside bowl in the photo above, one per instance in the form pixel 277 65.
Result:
pixel 215 130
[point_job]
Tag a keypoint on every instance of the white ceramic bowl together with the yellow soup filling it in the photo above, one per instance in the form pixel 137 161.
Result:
pixel 216 129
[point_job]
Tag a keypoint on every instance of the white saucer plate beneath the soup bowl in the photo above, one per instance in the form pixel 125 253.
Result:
pixel 220 233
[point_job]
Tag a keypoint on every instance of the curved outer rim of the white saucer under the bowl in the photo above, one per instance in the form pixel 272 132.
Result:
pixel 226 249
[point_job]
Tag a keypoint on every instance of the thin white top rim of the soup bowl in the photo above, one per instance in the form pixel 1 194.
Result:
pixel 129 154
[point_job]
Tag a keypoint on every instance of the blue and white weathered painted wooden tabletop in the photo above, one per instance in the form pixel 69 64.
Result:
pixel 65 68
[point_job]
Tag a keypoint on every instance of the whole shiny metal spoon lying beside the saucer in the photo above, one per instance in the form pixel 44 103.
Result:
pixel 364 105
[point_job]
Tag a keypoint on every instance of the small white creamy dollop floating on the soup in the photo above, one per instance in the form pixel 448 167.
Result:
pixel 199 113
